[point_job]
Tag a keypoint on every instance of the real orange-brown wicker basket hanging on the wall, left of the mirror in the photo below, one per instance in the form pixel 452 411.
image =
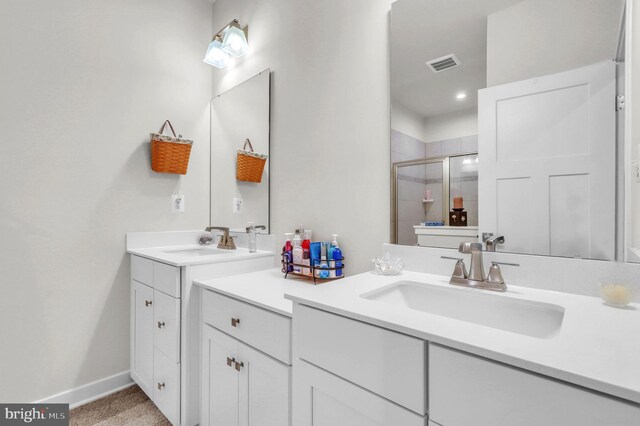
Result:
pixel 170 154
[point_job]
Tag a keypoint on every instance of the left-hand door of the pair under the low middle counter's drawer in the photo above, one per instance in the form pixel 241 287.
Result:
pixel 219 399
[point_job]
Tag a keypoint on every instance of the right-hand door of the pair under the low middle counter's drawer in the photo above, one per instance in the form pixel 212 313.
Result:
pixel 264 389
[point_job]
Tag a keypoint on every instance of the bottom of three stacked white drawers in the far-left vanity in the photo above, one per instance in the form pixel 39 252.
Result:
pixel 166 386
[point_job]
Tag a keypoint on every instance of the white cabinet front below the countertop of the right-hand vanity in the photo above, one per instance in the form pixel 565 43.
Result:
pixel 349 372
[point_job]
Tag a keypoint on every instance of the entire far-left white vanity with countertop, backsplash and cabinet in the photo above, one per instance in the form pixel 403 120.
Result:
pixel 165 311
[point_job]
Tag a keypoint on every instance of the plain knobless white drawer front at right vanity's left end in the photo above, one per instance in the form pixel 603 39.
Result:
pixel 390 364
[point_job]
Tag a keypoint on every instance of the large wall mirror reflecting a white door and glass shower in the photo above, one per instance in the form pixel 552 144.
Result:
pixel 504 122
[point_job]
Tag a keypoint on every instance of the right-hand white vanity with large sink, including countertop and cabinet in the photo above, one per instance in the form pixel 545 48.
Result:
pixel 399 350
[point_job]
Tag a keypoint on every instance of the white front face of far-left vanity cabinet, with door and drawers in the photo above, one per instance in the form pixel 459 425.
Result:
pixel 155 333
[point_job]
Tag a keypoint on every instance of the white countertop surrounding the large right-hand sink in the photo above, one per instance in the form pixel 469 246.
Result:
pixel 597 347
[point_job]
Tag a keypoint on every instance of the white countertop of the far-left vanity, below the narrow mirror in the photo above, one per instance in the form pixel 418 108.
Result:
pixel 171 255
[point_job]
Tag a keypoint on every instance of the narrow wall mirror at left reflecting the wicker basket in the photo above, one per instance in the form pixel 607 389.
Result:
pixel 238 115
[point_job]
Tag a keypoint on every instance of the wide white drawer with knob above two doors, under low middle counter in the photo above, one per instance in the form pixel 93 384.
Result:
pixel 264 330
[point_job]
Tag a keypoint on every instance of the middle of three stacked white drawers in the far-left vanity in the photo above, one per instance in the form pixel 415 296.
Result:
pixel 166 325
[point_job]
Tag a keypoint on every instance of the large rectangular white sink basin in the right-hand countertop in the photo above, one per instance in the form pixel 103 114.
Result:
pixel 530 318
